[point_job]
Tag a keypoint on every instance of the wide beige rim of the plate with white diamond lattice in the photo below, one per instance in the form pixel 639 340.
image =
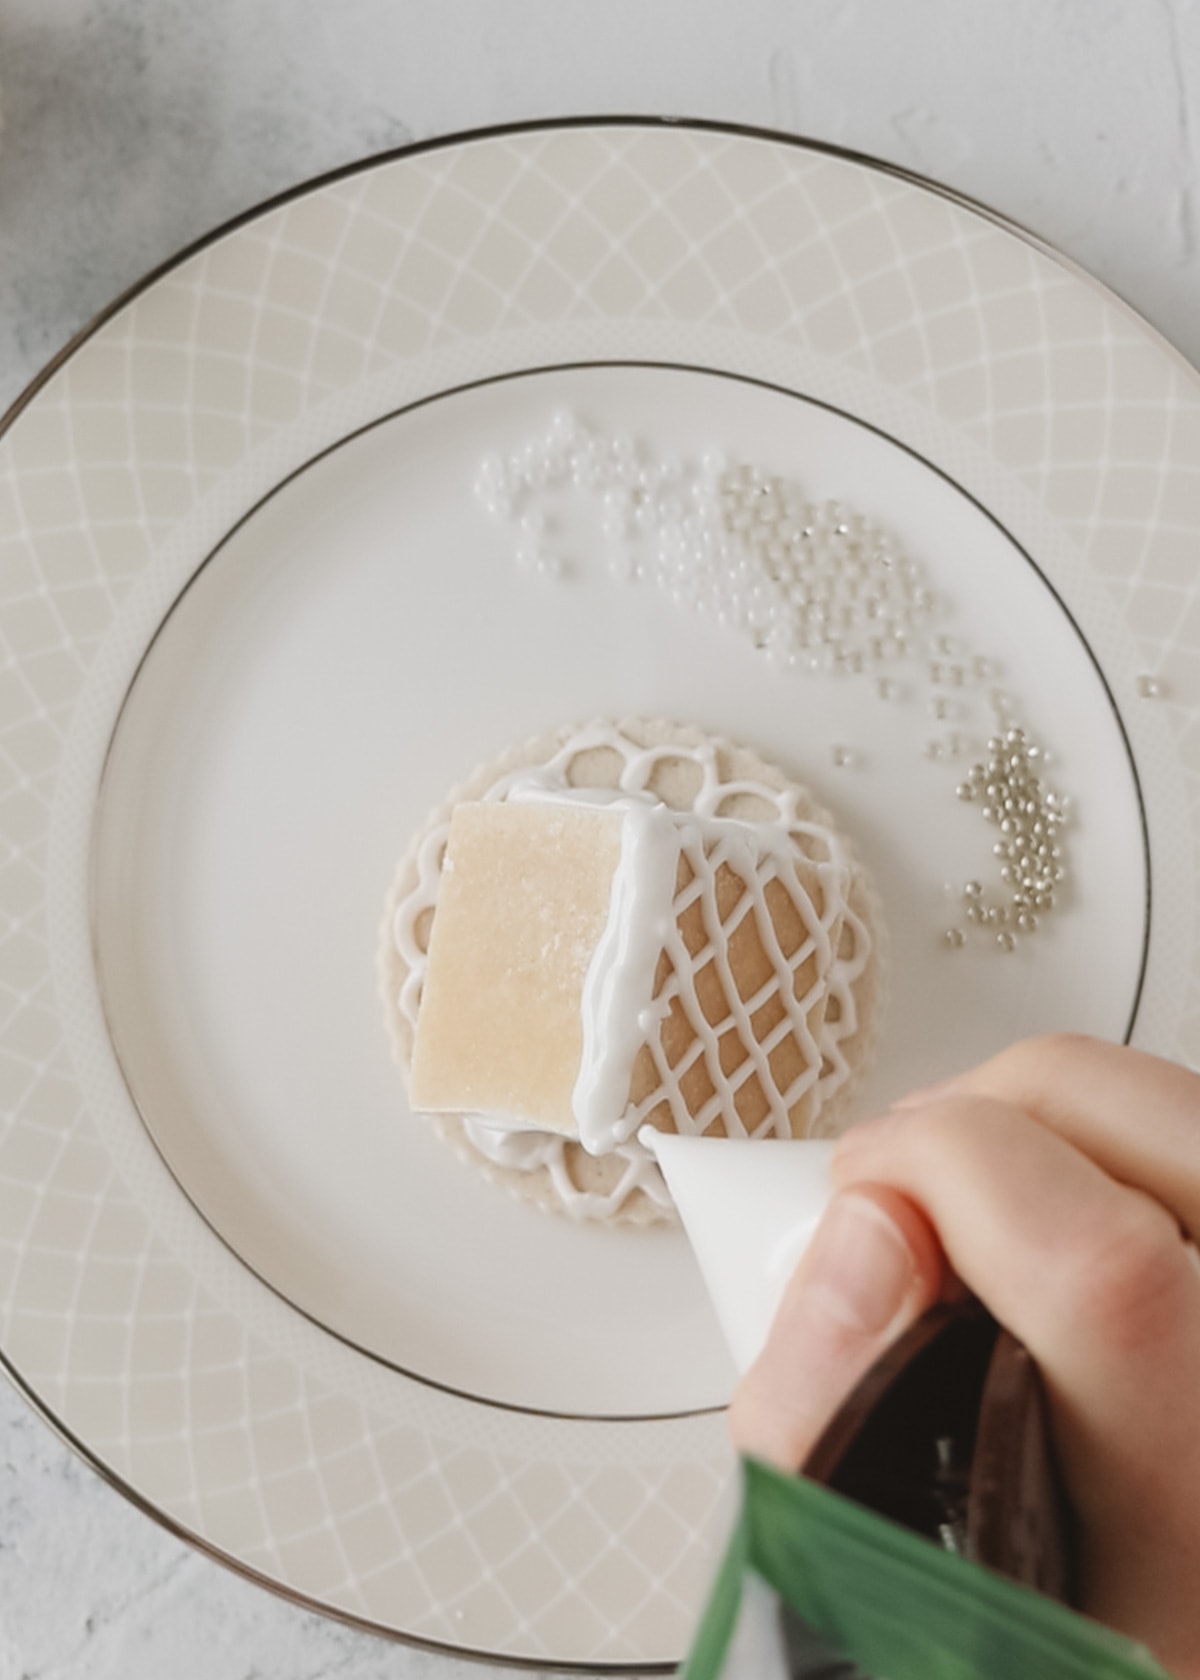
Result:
pixel 176 402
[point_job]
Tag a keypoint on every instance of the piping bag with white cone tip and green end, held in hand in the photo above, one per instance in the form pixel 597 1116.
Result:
pixel 929 1535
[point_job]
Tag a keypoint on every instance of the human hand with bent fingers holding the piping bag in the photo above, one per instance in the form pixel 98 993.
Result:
pixel 1061 1185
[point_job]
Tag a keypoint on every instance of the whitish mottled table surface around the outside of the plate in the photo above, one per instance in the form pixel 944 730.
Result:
pixel 132 127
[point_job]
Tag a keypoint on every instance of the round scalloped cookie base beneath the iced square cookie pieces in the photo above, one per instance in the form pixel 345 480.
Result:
pixel 682 767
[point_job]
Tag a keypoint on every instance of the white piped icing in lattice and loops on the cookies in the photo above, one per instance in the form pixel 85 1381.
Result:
pixel 707 837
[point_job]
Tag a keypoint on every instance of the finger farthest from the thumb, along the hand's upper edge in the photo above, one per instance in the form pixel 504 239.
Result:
pixel 1134 1115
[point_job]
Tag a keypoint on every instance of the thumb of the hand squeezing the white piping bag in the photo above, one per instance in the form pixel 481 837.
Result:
pixel 871 1271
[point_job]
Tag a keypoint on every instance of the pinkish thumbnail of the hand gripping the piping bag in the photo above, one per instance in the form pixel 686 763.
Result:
pixel 860 1269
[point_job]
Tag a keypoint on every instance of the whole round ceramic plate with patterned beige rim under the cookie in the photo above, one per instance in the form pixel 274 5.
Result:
pixel 256 624
